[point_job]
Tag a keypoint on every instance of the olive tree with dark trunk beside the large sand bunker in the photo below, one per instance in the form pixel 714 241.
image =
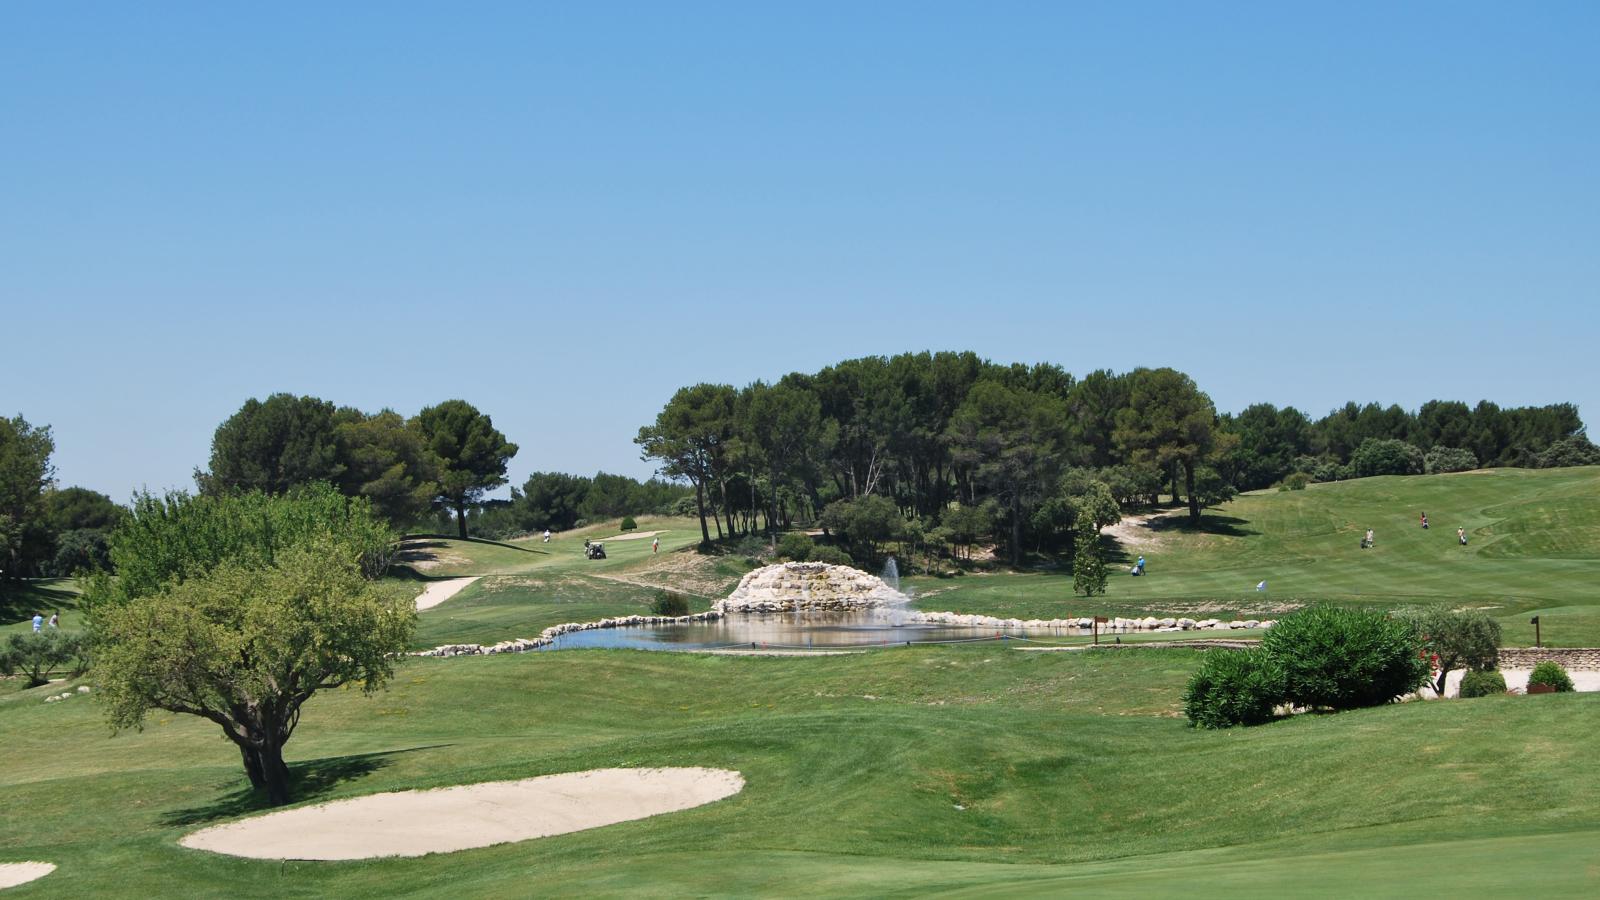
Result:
pixel 247 646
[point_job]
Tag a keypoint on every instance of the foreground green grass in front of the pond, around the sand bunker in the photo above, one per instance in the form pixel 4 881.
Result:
pixel 1074 771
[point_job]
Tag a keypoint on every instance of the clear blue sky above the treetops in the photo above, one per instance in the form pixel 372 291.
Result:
pixel 566 214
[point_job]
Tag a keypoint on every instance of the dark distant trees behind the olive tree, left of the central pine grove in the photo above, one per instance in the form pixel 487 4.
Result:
pixel 423 473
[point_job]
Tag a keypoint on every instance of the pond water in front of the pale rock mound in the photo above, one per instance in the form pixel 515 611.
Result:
pixel 804 630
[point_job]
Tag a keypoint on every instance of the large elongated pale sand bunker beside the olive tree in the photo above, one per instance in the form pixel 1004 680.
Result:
pixel 412 824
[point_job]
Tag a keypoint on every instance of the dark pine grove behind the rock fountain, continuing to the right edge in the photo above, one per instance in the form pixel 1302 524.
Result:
pixel 958 446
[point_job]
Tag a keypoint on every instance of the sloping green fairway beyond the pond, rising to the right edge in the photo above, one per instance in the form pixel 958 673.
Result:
pixel 1534 545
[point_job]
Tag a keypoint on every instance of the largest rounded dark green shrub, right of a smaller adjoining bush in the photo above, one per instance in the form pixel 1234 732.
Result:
pixel 1342 659
